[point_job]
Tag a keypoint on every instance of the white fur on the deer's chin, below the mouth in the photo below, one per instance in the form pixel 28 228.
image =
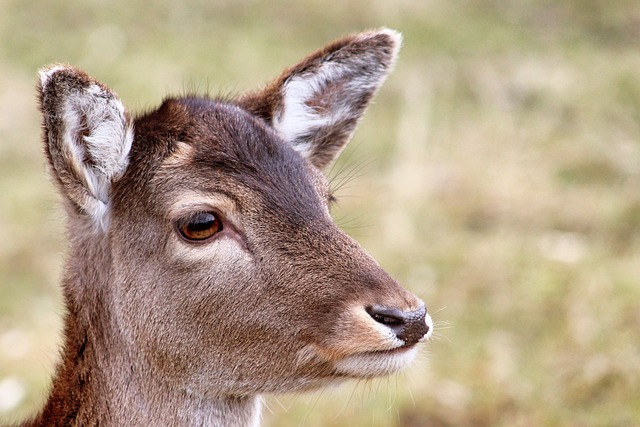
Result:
pixel 368 365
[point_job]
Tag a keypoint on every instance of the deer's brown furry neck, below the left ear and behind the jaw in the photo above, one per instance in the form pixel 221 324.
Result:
pixel 99 379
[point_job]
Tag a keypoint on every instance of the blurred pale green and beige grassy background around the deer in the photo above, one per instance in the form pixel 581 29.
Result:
pixel 497 175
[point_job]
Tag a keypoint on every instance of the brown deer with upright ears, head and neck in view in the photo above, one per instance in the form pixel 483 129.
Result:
pixel 204 270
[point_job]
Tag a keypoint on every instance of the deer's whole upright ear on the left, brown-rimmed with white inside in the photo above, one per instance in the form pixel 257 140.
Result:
pixel 87 135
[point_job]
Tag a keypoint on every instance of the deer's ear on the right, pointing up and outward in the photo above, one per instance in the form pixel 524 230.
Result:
pixel 316 104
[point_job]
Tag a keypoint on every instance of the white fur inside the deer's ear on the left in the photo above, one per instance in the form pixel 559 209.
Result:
pixel 98 140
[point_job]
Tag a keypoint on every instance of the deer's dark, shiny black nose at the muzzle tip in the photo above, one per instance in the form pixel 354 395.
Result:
pixel 409 326
